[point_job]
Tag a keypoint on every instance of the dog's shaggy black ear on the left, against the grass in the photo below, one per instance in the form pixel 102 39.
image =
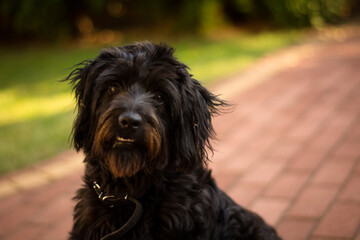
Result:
pixel 81 80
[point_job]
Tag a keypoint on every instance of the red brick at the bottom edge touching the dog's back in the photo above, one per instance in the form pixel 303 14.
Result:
pixel 295 229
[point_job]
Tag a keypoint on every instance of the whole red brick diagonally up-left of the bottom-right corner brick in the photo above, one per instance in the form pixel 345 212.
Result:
pixel 313 202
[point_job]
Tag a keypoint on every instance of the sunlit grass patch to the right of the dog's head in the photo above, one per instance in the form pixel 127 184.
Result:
pixel 211 60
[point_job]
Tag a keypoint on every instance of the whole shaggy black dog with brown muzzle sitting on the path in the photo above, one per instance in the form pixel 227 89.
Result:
pixel 144 125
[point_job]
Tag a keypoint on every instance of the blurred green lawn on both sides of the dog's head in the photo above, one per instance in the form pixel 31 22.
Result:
pixel 36 111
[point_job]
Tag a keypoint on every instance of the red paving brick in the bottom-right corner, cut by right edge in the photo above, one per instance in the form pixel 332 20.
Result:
pixel 341 221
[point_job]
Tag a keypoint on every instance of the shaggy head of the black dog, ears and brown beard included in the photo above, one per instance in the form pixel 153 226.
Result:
pixel 139 110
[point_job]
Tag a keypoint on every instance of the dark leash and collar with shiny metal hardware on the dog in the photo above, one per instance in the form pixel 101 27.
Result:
pixel 111 201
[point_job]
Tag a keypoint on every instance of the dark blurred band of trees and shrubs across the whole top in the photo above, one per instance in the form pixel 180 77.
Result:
pixel 56 19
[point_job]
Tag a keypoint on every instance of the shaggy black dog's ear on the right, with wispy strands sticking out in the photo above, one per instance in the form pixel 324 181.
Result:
pixel 196 130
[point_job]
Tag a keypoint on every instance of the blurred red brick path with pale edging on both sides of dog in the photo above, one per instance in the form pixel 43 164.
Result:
pixel 290 150
